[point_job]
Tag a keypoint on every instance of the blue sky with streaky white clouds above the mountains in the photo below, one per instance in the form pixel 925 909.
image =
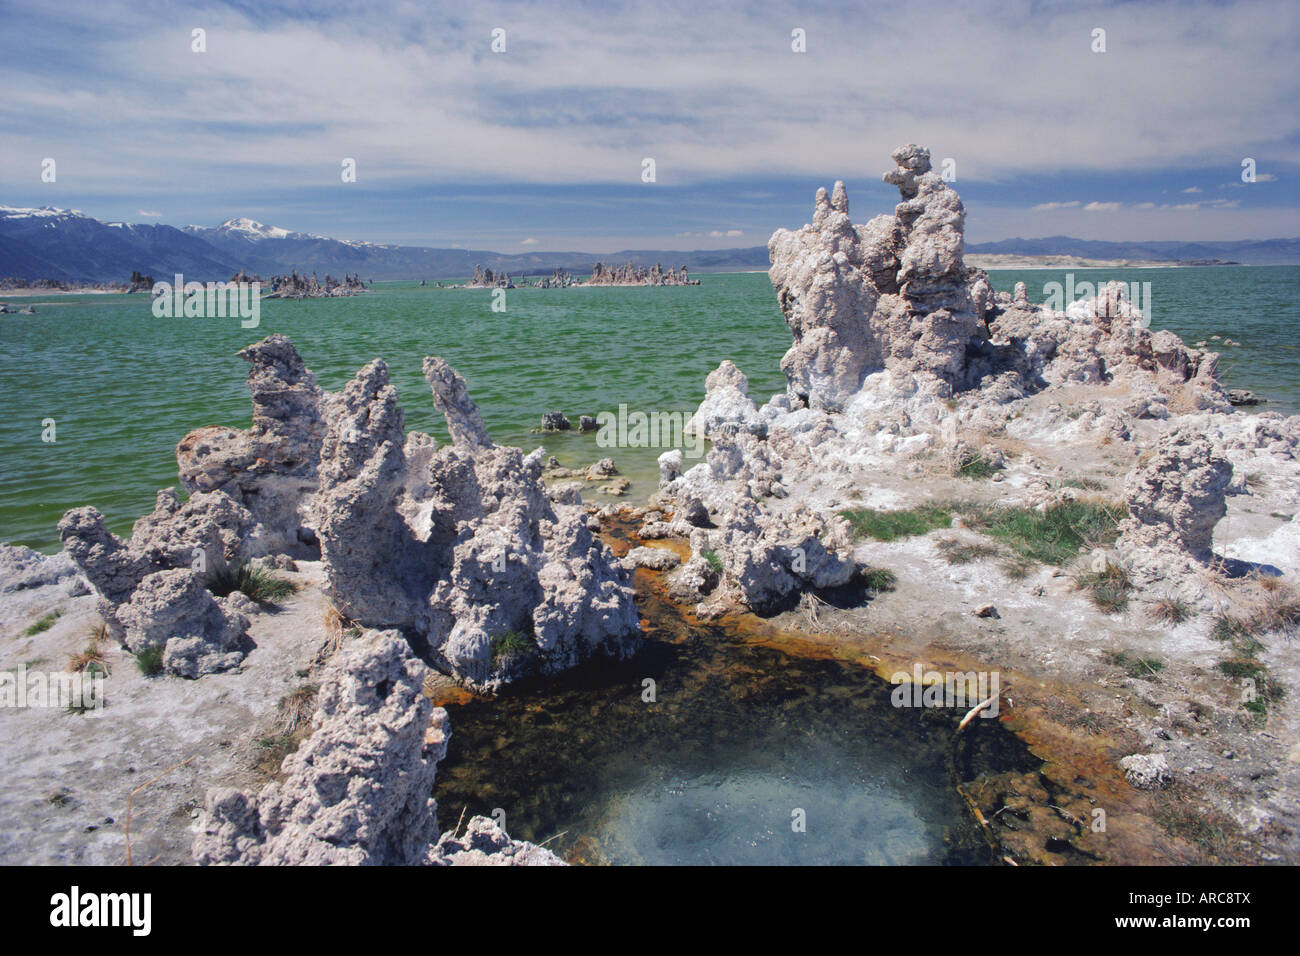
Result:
pixel 543 145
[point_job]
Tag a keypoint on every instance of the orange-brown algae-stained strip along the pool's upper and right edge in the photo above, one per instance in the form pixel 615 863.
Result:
pixel 1043 817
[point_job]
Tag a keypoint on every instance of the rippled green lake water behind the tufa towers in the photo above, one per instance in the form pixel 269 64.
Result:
pixel 124 387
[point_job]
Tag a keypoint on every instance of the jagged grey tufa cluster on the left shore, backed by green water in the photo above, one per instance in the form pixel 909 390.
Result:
pixel 458 546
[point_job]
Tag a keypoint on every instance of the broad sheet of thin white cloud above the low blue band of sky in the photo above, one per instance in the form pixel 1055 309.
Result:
pixel 418 98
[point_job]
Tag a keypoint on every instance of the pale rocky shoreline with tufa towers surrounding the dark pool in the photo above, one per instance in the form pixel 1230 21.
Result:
pixel 952 474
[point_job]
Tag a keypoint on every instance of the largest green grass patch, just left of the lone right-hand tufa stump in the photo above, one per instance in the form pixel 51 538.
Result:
pixel 1054 537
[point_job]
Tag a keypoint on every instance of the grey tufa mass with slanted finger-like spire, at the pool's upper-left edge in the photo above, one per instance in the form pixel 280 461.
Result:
pixel 462 544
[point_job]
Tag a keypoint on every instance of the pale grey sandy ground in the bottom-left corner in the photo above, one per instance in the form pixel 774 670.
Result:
pixel 68 776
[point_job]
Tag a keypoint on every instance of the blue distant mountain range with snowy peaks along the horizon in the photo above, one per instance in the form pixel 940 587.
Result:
pixel 71 246
